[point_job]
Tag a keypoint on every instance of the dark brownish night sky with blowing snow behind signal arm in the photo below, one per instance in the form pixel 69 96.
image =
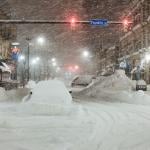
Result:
pixel 62 41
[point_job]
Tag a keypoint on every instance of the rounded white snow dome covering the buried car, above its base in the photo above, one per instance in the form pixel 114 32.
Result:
pixel 50 92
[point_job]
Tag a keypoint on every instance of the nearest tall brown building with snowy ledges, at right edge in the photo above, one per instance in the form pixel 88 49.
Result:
pixel 134 44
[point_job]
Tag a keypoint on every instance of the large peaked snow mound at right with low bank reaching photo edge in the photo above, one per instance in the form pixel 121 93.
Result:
pixel 114 88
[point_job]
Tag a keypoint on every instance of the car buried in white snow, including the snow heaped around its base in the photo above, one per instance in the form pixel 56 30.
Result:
pixel 49 98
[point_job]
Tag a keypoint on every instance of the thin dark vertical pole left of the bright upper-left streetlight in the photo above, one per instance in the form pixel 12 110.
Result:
pixel 28 59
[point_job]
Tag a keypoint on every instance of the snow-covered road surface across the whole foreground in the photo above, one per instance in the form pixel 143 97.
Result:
pixel 105 126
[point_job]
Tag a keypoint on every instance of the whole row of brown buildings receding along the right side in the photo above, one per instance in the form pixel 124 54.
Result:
pixel 134 44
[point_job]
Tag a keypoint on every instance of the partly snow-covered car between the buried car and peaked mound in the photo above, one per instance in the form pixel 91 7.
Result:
pixel 82 80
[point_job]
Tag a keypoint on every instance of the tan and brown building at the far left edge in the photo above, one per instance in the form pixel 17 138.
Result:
pixel 7 36
